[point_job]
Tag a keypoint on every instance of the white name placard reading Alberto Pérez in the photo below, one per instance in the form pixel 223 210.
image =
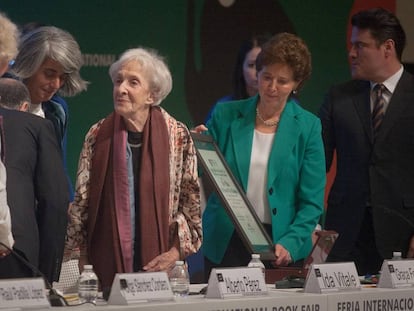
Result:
pixel 236 282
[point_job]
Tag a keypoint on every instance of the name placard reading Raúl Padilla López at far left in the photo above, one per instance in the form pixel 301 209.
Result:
pixel 23 293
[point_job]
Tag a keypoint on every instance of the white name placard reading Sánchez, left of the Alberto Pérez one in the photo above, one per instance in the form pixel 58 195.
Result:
pixel 129 288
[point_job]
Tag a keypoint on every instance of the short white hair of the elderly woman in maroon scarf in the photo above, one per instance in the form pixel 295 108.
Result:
pixel 154 68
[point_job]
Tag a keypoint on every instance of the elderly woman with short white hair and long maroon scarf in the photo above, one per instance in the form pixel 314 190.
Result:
pixel 137 202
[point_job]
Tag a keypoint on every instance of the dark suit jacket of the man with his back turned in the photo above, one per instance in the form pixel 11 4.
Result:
pixel 37 190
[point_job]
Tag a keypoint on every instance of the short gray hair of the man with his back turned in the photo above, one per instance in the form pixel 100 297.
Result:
pixel 13 93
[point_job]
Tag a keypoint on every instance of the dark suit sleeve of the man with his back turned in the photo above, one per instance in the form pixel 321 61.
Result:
pixel 52 196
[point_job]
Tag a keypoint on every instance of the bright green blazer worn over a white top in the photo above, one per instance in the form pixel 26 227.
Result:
pixel 296 175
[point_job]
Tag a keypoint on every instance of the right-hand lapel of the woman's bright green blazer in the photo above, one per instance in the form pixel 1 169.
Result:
pixel 285 139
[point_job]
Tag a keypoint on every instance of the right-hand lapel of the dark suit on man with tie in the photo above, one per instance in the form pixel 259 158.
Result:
pixel 401 98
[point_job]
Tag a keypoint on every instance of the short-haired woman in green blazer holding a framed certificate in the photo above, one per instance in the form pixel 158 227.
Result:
pixel 274 149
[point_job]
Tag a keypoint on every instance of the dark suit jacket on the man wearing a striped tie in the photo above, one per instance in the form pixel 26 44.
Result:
pixel 379 174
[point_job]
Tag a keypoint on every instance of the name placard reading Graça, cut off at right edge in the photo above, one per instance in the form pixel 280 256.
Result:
pixel 397 273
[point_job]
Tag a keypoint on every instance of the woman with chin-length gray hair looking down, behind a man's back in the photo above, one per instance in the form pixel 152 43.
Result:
pixel 48 62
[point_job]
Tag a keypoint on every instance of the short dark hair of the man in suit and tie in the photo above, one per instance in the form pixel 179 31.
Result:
pixel 383 25
